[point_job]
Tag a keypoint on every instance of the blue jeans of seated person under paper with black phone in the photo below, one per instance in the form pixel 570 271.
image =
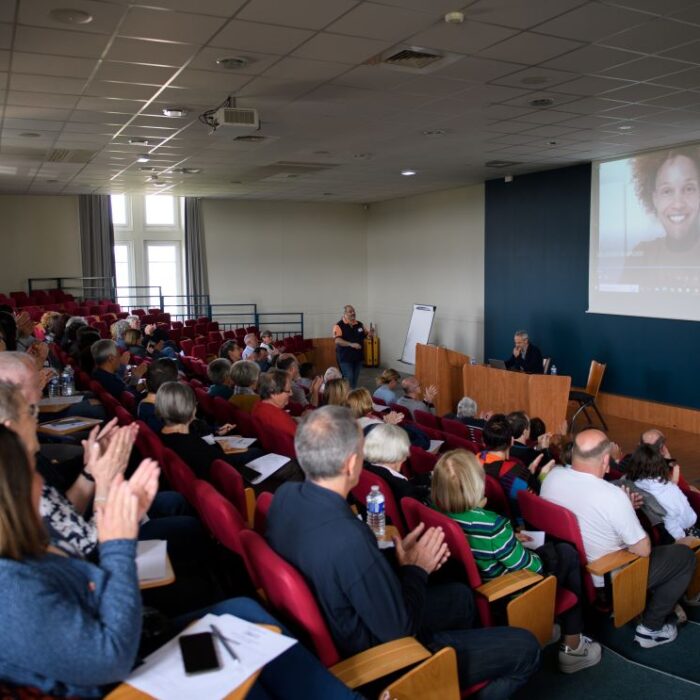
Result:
pixel 295 675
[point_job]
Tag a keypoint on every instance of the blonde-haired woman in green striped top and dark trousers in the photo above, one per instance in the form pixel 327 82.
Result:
pixel 458 491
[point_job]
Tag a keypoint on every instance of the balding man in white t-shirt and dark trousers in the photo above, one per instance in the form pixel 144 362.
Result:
pixel 608 523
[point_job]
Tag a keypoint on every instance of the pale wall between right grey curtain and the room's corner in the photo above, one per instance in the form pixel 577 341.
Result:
pixel 288 256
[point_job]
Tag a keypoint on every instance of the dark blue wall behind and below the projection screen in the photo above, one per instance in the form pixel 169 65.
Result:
pixel 537 237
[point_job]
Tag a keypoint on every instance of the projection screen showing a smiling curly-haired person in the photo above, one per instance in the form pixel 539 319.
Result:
pixel 645 235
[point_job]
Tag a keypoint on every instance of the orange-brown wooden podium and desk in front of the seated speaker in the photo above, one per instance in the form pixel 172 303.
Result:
pixel 497 390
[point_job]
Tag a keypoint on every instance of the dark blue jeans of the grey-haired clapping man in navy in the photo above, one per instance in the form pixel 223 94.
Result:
pixel 505 656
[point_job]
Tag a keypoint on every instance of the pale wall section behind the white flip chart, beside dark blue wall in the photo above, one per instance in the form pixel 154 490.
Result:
pixel 428 249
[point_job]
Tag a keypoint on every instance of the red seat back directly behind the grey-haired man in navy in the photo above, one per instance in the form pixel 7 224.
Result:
pixel 288 593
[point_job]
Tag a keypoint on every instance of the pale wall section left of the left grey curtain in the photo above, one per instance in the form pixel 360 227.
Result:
pixel 40 237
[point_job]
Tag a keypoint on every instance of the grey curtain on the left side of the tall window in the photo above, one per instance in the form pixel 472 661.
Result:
pixel 97 245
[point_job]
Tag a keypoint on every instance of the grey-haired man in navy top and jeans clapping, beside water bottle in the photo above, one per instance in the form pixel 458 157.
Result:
pixel 363 600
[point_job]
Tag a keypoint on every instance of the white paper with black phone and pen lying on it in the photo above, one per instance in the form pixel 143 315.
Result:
pixel 163 676
